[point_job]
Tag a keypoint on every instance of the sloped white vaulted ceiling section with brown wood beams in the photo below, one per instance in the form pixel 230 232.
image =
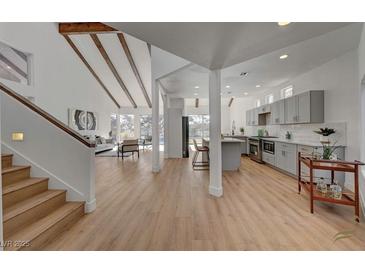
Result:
pixel 120 63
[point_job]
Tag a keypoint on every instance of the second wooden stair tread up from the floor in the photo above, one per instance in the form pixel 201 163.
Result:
pixel 29 203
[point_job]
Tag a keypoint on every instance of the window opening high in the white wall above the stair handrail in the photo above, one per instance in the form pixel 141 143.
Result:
pixel 14 65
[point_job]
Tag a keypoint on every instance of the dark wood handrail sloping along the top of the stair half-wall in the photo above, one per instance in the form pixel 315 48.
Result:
pixel 46 115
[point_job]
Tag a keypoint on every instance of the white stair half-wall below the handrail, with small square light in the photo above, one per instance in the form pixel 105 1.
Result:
pixel 50 151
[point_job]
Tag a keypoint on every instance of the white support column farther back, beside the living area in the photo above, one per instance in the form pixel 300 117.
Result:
pixel 155 127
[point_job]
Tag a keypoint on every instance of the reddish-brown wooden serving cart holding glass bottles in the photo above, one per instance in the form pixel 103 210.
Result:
pixel 309 182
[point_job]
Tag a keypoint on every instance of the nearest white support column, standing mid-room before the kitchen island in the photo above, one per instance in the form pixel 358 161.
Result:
pixel 215 147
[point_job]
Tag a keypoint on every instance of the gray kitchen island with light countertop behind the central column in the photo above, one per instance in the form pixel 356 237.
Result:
pixel 231 152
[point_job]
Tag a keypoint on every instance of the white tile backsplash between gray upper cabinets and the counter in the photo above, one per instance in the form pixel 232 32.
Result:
pixel 304 132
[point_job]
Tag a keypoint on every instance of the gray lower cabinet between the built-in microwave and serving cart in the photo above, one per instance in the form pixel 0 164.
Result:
pixel 286 157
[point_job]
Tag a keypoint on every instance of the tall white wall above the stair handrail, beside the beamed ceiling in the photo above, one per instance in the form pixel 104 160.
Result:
pixel 60 79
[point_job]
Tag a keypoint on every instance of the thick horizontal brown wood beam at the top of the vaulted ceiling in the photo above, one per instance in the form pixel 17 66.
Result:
pixel 85 28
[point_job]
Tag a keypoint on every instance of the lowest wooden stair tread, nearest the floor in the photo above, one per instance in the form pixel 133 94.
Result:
pixel 34 230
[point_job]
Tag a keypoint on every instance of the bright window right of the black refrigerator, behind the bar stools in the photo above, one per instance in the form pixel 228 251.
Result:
pixel 198 127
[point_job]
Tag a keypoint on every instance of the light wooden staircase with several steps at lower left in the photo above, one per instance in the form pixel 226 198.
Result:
pixel 33 214
